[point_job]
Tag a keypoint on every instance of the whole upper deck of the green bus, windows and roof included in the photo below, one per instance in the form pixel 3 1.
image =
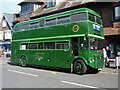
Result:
pixel 75 22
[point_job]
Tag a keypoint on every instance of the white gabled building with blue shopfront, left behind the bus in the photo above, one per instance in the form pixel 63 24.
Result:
pixel 6 33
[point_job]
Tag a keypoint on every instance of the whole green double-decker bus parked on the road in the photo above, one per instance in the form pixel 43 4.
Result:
pixel 66 40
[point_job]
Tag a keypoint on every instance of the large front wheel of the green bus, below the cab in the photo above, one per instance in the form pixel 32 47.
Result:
pixel 79 67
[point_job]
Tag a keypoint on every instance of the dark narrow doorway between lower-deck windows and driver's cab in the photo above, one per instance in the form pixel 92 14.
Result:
pixel 74 46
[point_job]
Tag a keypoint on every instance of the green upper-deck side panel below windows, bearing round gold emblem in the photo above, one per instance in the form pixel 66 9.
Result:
pixel 53 31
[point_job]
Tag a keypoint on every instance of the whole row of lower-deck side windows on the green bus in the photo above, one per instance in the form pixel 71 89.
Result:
pixel 45 45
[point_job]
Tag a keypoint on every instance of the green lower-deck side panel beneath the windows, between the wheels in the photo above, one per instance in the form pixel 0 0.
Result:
pixel 48 58
